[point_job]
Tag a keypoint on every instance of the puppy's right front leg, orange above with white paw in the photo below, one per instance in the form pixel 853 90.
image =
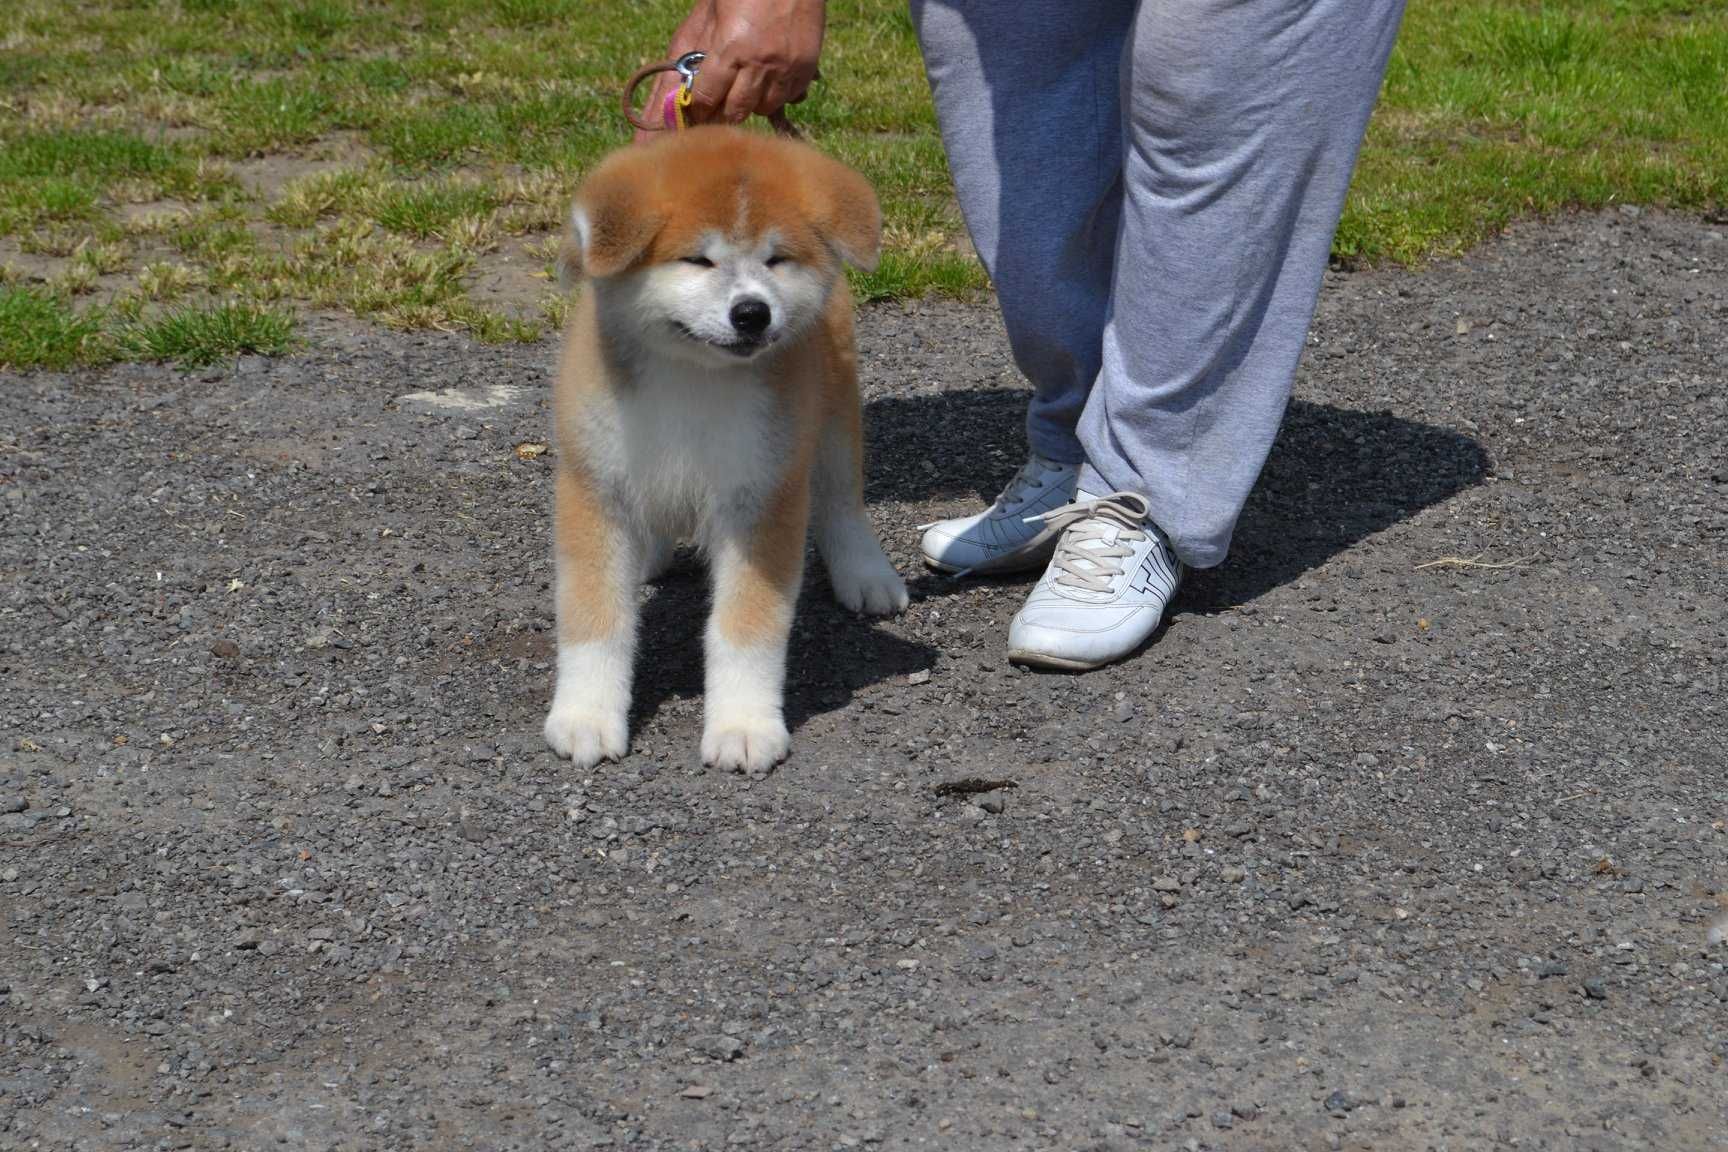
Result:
pixel 756 590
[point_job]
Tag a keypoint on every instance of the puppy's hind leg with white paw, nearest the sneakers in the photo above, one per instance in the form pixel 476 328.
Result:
pixel 858 571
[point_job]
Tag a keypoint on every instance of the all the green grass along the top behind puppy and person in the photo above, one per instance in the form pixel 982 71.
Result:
pixel 422 141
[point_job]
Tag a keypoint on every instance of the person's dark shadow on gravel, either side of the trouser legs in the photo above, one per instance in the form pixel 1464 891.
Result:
pixel 1337 476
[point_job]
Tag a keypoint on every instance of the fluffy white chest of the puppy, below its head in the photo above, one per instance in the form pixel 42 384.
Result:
pixel 683 450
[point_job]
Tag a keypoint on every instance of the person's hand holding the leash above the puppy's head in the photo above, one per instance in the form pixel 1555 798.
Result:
pixel 761 58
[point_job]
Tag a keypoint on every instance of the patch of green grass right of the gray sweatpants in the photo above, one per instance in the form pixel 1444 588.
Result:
pixel 1496 111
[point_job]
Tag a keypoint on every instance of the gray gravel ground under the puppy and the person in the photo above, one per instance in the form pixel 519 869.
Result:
pixel 1371 849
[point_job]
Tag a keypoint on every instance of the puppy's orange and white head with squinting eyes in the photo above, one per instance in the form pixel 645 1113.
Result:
pixel 720 244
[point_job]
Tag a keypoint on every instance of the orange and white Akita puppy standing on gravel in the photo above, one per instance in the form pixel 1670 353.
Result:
pixel 709 393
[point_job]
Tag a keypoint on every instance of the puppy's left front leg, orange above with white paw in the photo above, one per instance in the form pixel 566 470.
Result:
pixel 599 569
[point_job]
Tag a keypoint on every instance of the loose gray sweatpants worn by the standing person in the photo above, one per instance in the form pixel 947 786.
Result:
pixel 1153 187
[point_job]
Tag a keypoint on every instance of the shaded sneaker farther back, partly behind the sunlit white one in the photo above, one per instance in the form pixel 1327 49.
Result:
pixel 1008 536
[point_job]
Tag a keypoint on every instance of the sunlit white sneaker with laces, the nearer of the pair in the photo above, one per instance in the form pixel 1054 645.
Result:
pixel 1110 579
